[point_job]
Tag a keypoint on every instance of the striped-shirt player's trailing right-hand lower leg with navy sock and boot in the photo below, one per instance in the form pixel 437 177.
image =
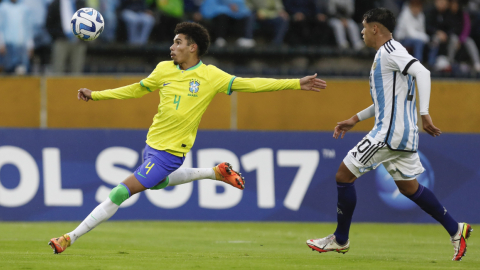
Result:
pixel 423 197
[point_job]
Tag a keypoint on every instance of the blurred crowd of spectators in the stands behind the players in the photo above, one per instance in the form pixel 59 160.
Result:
pixel 274 37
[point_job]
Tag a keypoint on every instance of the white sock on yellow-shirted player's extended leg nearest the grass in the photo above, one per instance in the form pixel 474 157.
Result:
pixel 101 213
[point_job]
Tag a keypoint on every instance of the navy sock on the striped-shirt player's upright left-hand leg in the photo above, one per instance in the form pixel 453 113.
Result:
pixel 347 199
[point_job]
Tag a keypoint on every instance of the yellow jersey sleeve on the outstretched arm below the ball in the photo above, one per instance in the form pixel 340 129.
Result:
pixel 135 90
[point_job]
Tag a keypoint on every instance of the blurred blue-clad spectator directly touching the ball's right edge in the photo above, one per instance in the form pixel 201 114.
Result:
pixel 108 9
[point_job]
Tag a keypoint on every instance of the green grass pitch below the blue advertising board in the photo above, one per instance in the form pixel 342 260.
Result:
pixel 230 245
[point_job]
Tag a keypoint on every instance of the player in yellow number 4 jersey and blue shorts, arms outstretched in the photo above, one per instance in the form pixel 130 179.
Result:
pixel 186 87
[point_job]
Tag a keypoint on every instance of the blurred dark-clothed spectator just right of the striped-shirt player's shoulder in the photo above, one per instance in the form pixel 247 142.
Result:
pixel 438 29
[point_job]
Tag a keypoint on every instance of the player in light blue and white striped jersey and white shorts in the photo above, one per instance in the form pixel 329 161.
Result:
pixel 393 141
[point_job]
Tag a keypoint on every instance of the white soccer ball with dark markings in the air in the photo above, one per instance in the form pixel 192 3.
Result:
pixel 87 24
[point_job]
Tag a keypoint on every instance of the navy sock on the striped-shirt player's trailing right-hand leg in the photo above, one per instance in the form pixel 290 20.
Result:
pixel 425 198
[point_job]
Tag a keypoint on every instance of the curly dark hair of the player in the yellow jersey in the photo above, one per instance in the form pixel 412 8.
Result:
pixel 195 33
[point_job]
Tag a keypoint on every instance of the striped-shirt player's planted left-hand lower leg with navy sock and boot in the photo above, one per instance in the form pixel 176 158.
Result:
pixel 347 200
